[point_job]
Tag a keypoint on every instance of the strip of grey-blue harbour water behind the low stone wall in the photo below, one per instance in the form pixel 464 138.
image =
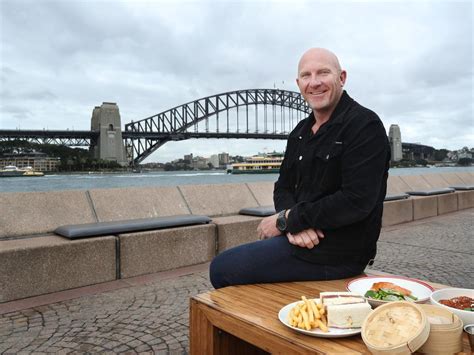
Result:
pixel 87 181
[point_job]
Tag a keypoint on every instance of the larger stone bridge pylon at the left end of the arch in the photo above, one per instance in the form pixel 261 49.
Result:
pixel 108 145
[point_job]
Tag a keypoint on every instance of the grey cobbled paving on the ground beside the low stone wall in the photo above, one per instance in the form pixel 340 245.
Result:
pixel 150 313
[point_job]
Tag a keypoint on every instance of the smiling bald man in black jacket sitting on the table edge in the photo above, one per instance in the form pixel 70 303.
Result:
pixel 329 194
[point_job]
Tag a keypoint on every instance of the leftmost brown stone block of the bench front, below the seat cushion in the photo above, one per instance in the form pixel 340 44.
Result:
pixel 45 264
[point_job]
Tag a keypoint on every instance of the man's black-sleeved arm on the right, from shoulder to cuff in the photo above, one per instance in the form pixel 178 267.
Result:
pixel 363 165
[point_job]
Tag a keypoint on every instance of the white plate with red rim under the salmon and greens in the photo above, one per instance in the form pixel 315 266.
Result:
pixel 419 289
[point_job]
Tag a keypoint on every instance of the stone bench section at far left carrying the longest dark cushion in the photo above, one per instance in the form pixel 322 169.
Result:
pixel 34 261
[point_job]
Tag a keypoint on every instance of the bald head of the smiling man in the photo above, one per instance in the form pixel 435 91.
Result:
pixel 320 79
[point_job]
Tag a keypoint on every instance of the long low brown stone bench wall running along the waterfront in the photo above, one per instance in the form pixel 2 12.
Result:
pixel 34 261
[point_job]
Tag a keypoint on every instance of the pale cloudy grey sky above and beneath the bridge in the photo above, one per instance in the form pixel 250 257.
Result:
pixel 409 61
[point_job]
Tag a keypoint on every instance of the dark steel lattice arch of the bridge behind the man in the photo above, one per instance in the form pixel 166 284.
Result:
pixel 145 136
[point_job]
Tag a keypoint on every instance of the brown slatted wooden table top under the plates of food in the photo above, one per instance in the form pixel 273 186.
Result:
pixel 255 308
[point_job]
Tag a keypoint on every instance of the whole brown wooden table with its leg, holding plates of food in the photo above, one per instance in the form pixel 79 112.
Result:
pixel 244 320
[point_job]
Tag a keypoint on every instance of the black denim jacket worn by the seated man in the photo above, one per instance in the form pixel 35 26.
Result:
pixel 336 181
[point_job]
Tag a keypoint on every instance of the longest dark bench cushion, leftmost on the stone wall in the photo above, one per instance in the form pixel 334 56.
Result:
pixel 73 231
